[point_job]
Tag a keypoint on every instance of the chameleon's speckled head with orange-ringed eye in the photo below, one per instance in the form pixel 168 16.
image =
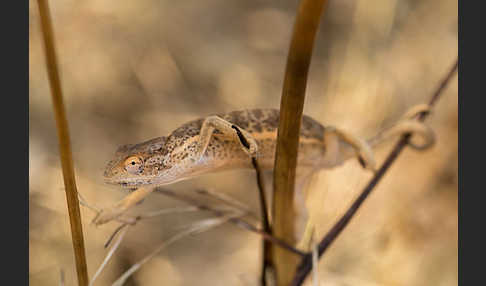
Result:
pixel 137 165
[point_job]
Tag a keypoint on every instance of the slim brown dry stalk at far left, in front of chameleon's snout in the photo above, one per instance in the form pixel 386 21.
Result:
pixel 64 144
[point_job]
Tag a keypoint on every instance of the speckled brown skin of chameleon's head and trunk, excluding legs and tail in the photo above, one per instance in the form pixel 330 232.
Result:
pixel 169 159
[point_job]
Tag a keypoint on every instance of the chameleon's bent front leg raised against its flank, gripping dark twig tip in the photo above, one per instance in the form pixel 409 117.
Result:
pixel 212 123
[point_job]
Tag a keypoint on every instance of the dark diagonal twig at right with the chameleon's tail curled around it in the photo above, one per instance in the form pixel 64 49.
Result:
pixel 306 263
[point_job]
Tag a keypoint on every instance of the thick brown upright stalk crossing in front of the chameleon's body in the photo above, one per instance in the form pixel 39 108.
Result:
pixel 291 108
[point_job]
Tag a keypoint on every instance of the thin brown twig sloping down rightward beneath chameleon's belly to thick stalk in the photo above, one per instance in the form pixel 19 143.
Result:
pixel 236 221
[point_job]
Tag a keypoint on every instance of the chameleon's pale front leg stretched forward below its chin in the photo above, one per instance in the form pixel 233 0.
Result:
pixel 115 211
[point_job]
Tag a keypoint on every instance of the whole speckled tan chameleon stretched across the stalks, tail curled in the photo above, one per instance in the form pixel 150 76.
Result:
pixel 229 141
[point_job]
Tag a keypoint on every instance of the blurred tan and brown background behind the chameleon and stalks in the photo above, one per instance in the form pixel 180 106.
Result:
pixel 134 70
